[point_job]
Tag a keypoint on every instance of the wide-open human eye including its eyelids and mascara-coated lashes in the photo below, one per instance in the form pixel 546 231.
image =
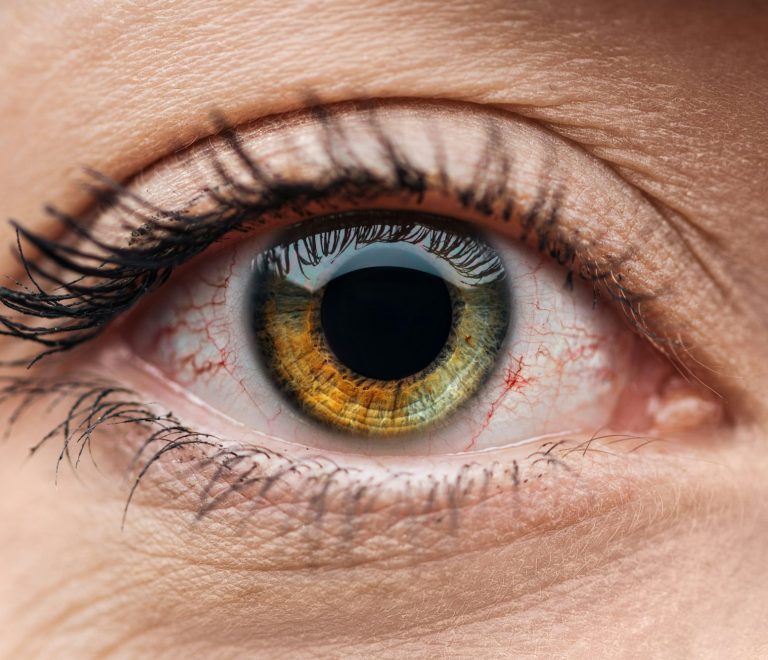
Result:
pixel 360 305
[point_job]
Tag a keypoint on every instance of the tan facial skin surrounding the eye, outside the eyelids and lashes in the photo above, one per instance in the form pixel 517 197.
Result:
pixel 669 561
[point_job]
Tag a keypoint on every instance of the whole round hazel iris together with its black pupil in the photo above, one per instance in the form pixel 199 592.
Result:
pixel 380 323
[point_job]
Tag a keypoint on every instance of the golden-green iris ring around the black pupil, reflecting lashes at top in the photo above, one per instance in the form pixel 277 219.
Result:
pixel 287 320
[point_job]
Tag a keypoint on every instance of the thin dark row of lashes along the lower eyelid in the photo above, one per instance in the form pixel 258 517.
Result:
pixel 237 472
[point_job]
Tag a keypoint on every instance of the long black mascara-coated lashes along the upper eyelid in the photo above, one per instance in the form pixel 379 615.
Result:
pixel 86 287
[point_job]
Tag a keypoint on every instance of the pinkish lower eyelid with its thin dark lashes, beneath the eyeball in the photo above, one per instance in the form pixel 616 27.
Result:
pixel 545 484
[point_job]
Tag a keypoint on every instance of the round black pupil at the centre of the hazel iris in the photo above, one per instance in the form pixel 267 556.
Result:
pixel 386 322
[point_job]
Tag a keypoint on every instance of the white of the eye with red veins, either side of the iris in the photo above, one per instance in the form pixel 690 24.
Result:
pixel 572 360
